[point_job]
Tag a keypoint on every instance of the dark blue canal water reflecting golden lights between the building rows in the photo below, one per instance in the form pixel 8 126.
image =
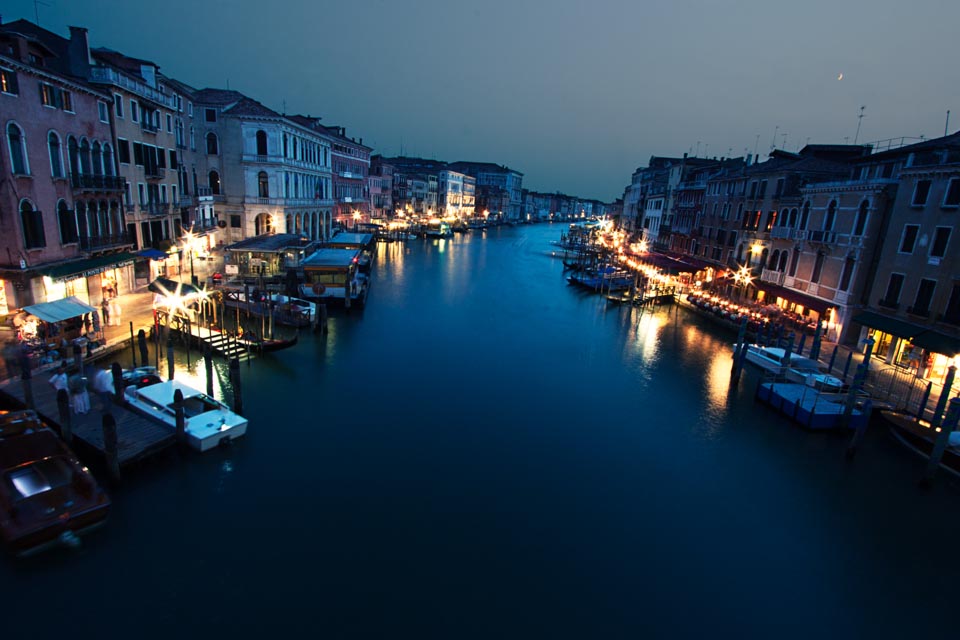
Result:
pixel 486 451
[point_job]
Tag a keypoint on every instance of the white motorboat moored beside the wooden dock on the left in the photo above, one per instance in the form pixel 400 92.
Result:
pixel 208 422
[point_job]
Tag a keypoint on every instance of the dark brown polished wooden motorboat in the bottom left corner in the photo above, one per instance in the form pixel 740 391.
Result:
pixel 47 497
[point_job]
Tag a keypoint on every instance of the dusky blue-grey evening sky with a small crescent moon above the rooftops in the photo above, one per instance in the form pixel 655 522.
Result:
pixel 574 94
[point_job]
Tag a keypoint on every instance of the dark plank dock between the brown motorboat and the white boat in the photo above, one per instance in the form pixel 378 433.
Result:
pixel 137 436
